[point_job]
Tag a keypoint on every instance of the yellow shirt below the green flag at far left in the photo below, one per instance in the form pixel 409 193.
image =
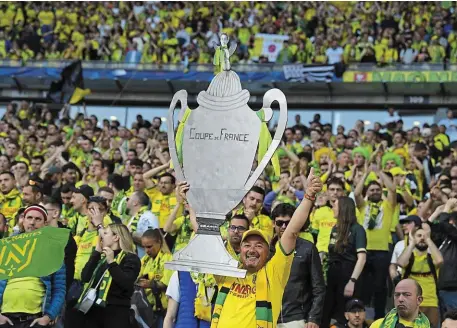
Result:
pixel 23 295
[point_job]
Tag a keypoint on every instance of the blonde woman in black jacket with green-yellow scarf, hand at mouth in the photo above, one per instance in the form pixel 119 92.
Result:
pixel 112 271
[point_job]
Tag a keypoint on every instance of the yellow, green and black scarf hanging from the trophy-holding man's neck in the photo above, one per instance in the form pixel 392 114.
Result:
pixel 263 311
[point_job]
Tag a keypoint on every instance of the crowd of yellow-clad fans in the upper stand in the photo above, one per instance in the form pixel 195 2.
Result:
pixel 186 32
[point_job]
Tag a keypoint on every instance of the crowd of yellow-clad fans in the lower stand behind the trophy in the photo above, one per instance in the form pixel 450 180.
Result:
pixel 388 208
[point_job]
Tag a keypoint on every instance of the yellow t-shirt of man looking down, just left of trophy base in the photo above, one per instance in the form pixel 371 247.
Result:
pixel 155 270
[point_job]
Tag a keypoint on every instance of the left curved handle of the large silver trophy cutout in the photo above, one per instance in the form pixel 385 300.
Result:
pixel 180 96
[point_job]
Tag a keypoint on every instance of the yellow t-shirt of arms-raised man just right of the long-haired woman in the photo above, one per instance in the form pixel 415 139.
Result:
pixel 379 237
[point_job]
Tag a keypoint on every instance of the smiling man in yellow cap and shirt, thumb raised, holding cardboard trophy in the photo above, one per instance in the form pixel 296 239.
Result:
pixel 255 301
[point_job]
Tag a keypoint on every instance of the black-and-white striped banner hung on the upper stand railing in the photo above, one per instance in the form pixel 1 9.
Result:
pixel 309 73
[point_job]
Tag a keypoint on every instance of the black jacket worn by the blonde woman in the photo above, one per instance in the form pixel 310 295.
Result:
pixel 124 276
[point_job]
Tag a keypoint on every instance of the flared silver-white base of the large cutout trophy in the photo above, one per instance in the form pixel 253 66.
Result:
pixel 206 254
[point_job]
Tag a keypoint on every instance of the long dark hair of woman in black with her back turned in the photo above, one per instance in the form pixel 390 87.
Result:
pixel 346 218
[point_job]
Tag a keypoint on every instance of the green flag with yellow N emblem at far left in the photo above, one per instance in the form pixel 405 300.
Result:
pixel 33 254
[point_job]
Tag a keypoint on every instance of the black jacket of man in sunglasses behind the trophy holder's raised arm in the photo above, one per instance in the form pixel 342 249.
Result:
pixel 305 291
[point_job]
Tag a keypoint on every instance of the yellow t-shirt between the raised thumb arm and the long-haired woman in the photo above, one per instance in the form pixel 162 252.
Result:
pixel 323 220
